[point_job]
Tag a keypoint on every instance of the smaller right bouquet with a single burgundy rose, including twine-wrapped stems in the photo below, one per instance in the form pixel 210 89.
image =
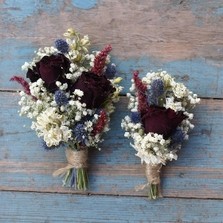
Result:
pixel 159 122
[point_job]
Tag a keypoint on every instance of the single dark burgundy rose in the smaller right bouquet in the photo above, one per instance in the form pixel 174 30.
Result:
pixel 161 120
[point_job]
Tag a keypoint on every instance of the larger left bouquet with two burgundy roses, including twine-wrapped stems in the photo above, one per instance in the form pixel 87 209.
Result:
pixel 69 98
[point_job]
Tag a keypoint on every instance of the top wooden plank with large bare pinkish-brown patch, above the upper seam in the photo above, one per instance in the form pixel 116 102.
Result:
pixel 182 37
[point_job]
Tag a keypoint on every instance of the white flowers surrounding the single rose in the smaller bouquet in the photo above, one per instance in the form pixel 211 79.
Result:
pixel 152 148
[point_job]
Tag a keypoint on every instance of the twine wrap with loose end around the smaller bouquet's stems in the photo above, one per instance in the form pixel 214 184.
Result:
pixel 152 175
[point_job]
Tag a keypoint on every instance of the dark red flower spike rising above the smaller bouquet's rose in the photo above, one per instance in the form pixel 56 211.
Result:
pixel 141 91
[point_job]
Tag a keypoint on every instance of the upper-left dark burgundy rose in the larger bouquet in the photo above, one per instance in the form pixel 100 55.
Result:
pixel 50 69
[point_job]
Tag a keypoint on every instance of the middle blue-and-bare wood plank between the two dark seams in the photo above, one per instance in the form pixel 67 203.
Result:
pixel 25 166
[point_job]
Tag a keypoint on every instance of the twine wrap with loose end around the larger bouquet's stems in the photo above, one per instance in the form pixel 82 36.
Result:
pixel 75 159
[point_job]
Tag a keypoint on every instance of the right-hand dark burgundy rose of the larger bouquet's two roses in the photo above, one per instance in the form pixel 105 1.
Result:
pixel 96 89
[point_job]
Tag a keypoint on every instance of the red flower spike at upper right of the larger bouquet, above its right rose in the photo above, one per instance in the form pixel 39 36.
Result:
pixel 100 59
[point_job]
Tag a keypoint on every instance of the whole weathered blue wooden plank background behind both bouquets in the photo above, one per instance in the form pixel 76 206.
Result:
pixel 184 37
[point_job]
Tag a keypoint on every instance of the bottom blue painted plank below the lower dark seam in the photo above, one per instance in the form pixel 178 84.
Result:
pixel 25 207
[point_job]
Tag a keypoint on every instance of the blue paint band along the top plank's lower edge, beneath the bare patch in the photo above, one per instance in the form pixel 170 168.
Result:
pixel 202 78
